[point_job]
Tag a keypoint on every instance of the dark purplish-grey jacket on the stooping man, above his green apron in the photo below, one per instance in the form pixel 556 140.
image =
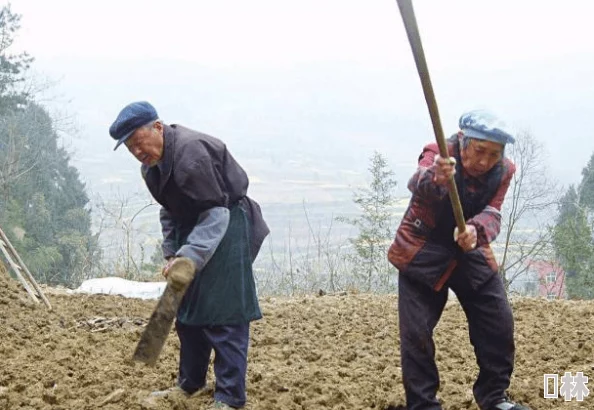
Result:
pixel 198 173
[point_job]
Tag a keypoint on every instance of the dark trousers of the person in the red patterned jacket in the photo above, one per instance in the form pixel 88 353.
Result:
pixel 490 323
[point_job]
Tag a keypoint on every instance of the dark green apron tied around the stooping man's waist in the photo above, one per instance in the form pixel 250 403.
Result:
pixel 224 292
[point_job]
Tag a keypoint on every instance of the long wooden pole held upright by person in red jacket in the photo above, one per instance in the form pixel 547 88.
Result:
pixel 412 31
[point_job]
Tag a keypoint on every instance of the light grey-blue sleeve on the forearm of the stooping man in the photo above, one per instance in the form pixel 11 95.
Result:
pixel 206 236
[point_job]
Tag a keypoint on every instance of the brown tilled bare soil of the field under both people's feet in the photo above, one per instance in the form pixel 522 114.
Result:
pixel 328 352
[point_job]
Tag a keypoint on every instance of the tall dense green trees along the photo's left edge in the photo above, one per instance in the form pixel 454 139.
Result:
pixel 43 204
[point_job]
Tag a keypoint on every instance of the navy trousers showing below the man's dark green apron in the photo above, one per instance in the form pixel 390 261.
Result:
pixel 230 344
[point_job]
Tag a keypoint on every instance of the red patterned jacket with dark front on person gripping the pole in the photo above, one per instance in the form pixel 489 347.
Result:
pixel 424 247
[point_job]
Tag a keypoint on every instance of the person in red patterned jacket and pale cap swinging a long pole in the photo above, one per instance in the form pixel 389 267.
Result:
pixel 433 258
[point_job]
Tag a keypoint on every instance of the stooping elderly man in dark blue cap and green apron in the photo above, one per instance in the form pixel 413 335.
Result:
pixel 206 216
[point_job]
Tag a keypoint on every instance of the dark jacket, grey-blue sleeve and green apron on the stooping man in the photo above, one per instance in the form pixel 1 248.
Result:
pixel 197 182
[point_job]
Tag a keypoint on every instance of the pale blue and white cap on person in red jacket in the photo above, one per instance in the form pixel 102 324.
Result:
pixel 483 125
